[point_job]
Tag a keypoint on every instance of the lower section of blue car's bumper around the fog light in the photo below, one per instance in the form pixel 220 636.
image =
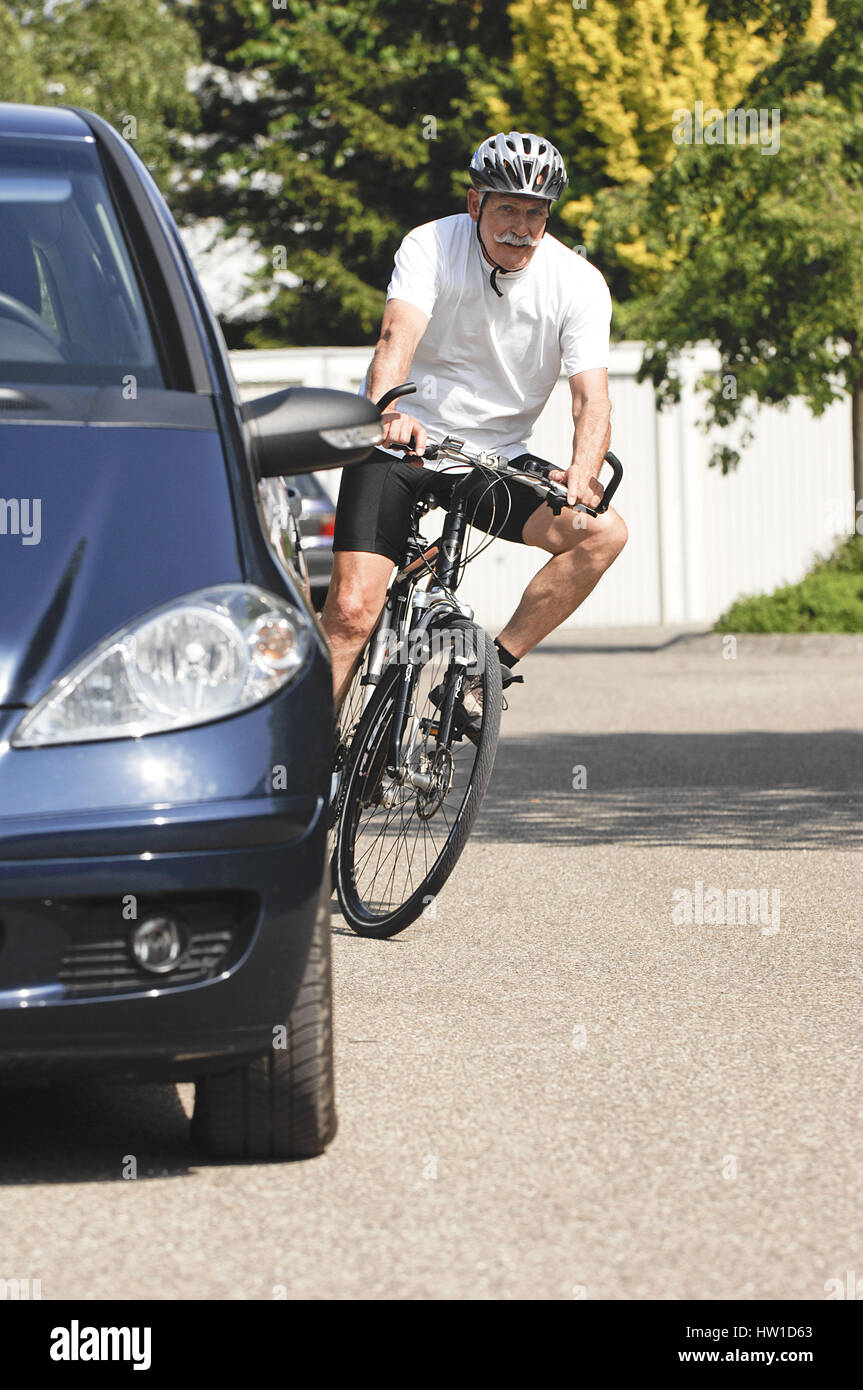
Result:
pixel 161 1029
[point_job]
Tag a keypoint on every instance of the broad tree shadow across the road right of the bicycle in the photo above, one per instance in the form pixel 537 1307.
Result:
pixel 750 792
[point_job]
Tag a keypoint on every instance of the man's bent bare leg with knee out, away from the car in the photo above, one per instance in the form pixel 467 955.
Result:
pixel 580 558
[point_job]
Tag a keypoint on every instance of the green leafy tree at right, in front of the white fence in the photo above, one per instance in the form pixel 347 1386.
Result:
pixel 766 247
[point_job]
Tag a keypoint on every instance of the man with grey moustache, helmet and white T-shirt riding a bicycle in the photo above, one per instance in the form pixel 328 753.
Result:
pixel 483 311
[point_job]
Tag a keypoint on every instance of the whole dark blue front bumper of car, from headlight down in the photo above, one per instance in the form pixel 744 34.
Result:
pixel 76 882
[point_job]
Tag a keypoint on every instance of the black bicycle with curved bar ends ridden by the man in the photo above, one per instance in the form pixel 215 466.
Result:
pixel 408 771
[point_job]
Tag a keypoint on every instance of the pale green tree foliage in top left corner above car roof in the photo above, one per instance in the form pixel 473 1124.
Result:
pixel 126 62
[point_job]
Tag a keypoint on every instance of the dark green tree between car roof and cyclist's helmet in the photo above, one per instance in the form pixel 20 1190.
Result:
pixel 329 131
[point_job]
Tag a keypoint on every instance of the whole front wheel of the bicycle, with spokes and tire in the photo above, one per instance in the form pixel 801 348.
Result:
pixel 401 839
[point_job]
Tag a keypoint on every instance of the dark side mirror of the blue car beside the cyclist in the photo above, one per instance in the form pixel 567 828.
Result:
pixel 306 429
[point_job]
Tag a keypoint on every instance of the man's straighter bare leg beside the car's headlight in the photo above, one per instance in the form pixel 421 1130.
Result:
pixel 354 605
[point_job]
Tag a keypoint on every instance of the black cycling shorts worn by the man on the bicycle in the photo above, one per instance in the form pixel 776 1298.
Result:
pixel 377 498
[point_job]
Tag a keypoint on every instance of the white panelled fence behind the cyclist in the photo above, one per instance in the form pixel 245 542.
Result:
pixel 697 540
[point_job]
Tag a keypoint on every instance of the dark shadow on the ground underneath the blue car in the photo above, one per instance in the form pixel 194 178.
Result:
pixel 87 1132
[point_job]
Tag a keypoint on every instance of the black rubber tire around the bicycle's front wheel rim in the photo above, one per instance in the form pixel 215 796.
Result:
pixel 373 739
